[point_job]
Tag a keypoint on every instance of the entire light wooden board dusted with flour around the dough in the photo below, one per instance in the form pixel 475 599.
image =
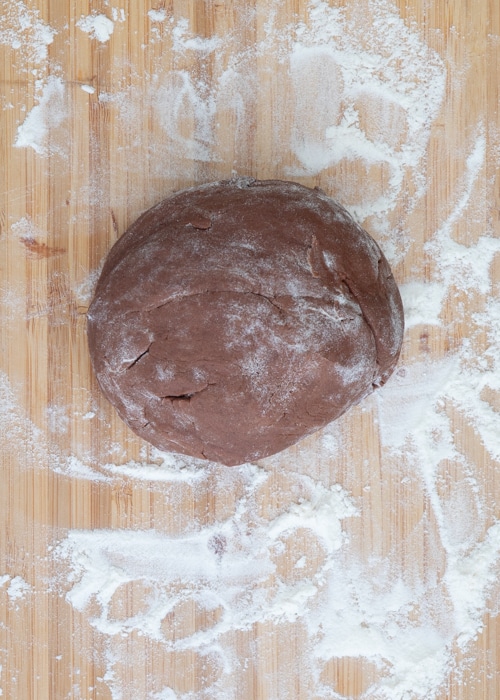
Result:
pixel 362 563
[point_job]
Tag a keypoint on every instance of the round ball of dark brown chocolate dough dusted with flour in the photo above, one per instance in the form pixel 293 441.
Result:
pixel 235 318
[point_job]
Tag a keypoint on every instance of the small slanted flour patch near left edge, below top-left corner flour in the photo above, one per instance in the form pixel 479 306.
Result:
pixel 49 113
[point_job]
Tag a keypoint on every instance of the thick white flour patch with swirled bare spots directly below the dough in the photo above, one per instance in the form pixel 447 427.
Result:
pixel 230 565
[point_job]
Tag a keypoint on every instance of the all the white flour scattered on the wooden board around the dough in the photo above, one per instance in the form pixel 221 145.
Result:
pixel 376 89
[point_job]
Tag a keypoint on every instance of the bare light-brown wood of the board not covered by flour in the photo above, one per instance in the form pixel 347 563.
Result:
pixel 70 204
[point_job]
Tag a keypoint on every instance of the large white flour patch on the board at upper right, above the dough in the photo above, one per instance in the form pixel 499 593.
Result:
pixel 386 86
